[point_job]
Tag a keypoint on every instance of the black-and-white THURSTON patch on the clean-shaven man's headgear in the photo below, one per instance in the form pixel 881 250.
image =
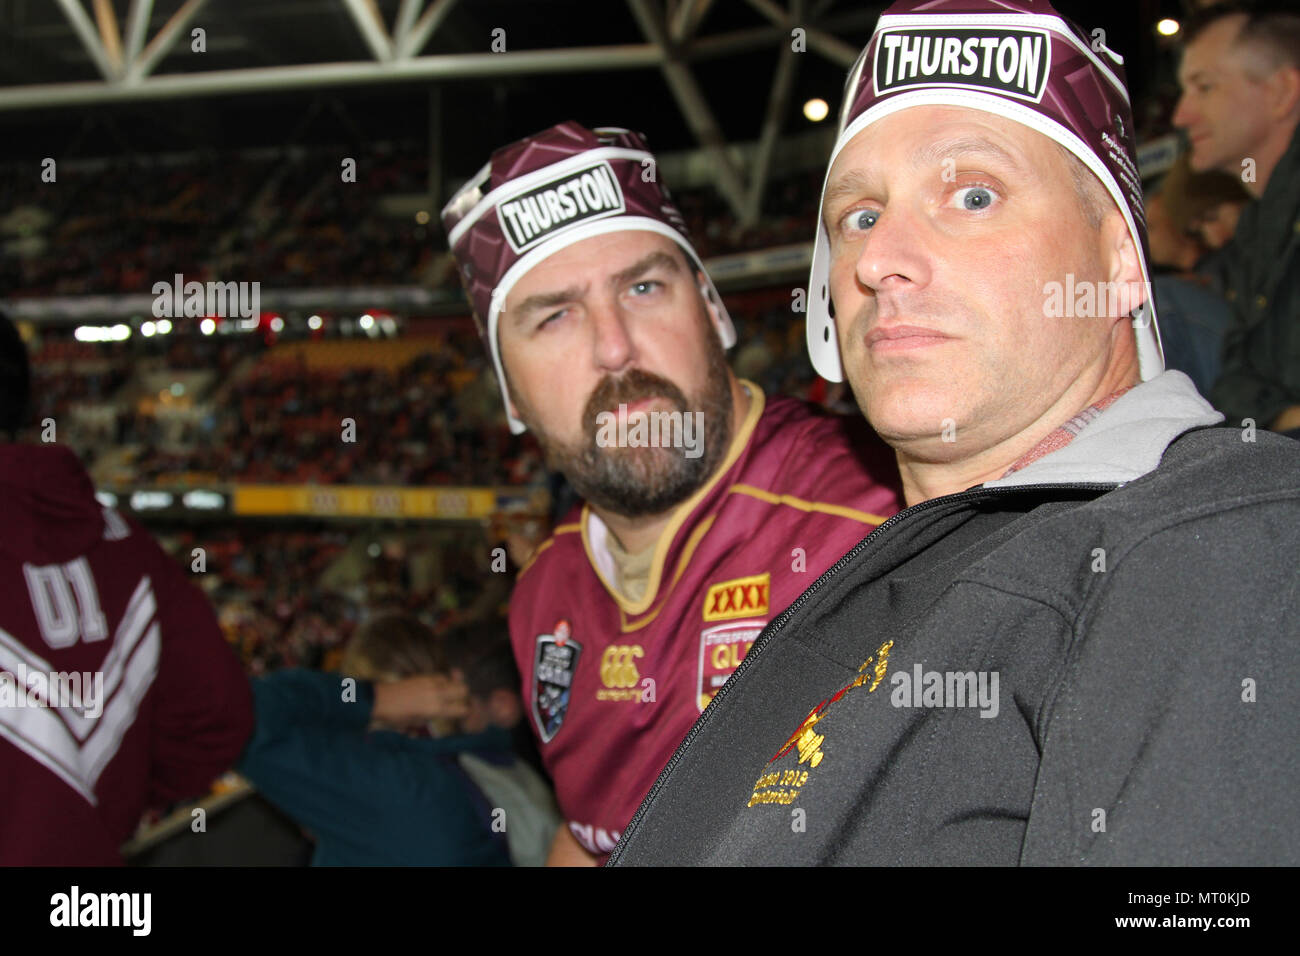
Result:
pixel 1015 62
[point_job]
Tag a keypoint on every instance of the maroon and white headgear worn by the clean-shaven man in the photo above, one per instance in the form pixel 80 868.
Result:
pixel 1021 60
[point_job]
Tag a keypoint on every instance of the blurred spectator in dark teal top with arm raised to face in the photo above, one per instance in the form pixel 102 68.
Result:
pixel 384 769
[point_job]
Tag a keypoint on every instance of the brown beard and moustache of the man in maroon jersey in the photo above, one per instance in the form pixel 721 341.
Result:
pixel 639 482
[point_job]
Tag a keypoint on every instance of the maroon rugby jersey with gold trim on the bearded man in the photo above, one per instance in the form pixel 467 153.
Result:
pixel 614 686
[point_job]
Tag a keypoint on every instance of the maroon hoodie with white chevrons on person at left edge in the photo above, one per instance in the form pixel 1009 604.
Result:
pixel 118 691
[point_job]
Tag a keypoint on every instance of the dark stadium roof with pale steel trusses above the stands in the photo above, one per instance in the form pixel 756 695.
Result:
pixel 128 76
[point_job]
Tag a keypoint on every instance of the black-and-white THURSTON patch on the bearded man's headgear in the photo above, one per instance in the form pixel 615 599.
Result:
pixel 591 193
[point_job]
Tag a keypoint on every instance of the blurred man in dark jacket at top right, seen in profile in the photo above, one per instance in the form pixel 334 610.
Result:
pixel 1241 107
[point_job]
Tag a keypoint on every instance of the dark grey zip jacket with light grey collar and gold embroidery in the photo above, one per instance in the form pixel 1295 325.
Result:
pixel 1093 661
